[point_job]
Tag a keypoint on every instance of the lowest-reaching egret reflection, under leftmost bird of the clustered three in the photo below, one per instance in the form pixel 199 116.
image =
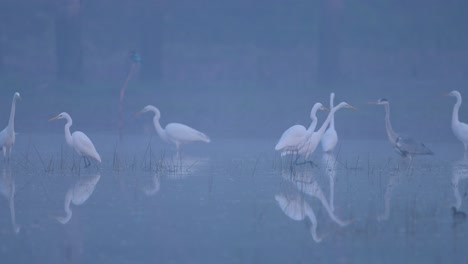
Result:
pixel 296 208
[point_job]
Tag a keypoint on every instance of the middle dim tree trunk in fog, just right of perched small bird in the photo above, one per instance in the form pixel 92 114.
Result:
pixel 152 40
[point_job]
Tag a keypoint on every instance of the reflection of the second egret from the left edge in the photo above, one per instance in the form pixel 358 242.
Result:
pixel 78 194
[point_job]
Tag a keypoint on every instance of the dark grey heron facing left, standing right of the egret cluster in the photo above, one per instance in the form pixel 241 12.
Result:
pixel 403 144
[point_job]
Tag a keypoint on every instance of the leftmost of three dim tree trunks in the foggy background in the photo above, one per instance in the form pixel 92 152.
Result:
pixel 68 46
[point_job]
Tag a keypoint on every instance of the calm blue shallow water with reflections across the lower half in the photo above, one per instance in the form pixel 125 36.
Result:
pixel 218 206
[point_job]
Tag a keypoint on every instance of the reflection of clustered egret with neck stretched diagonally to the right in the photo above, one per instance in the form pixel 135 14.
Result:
pixel 307 184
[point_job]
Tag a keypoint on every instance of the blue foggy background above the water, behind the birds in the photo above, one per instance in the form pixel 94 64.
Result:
pixel 241 68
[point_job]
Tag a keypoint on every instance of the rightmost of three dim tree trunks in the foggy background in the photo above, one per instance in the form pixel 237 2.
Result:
pixel 329 40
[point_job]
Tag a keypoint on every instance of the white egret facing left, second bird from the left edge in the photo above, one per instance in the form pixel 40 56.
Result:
pixel 79 141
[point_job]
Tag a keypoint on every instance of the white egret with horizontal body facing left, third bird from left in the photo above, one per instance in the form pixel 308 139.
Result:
pixel 175 133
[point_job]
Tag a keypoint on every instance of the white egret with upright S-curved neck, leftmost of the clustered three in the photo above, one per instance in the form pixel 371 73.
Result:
pixel 295 136
